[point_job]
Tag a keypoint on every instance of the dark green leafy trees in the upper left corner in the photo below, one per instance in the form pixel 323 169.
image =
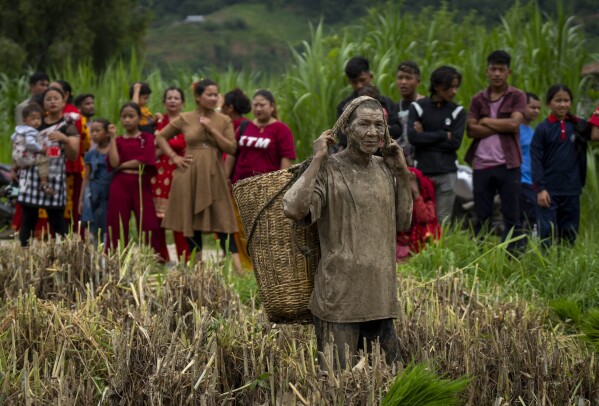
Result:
pixel 43 34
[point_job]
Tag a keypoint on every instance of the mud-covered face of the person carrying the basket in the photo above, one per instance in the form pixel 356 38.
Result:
pixel 367 131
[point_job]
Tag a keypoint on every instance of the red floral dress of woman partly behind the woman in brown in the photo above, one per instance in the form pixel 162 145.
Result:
pixel 161 183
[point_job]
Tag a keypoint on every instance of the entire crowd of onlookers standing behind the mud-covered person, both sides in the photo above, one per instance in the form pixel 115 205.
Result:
pixel 173 170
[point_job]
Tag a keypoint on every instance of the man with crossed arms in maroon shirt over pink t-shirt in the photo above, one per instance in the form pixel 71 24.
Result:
pixel 493 123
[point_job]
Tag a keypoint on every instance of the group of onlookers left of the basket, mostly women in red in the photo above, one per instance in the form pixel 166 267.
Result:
pixel 173 170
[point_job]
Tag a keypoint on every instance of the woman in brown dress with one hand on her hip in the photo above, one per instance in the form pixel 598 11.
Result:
pixel 199 200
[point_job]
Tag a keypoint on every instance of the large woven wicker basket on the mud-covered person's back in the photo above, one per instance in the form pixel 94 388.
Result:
pixel 285 257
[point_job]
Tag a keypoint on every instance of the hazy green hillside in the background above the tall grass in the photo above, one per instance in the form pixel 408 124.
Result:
pixel 257 35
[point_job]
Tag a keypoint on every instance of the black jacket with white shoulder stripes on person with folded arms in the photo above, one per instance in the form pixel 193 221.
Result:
pixel 434 154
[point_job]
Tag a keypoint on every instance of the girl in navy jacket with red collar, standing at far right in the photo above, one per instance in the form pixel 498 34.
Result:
pixel 559 164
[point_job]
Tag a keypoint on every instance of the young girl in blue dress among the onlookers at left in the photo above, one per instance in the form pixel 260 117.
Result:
pixel 97 179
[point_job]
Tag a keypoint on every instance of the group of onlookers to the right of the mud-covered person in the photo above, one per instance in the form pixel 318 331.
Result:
pixel 537 173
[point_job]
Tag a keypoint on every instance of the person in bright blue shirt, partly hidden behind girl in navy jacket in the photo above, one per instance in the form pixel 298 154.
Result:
pixel 528 197
